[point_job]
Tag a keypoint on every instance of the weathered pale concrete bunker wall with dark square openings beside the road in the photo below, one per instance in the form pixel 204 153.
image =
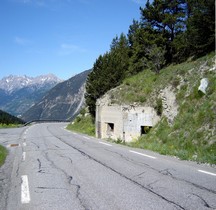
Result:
pixel 124 122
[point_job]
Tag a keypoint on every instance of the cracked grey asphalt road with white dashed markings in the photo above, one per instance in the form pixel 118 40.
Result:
pixel 50 168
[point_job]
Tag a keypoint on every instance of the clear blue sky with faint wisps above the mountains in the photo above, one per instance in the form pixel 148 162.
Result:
pixel 63 37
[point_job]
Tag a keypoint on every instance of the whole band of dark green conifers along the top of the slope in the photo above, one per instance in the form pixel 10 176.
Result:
pixel 168 32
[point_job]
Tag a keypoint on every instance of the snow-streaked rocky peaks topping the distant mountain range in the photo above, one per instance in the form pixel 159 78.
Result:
pixel 13 83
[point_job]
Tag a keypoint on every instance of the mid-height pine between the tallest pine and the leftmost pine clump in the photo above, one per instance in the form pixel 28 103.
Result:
pixel 147 48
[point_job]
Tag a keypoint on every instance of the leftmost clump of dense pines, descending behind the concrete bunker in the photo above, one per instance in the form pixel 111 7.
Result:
pixel 108 71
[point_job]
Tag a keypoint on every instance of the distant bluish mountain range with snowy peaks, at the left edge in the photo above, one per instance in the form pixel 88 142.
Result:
pixel 19 93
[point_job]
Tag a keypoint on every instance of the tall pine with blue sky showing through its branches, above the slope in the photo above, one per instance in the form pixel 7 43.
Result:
pixel 166 18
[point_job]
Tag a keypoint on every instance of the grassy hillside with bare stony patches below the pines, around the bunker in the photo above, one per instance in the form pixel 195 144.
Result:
pixel 187 128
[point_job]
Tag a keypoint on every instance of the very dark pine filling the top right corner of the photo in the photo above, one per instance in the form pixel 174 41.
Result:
pixel 201 26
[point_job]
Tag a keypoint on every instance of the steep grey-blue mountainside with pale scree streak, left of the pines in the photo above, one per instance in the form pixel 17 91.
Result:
pixel 62 102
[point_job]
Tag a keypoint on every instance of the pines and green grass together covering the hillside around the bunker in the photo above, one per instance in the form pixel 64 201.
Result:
pixel 168 33
